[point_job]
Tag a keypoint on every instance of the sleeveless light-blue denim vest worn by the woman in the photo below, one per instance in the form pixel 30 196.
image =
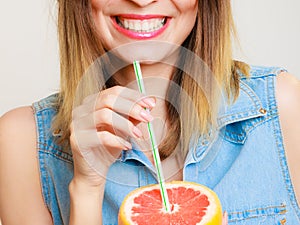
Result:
pixel 245 164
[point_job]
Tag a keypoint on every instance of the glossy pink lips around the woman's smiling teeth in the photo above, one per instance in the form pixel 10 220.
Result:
pixel 139 35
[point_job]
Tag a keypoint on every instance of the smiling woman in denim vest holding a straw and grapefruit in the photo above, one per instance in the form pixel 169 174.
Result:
pixel 55 156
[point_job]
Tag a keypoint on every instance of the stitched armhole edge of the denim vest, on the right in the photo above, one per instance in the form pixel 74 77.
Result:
pixel 281 155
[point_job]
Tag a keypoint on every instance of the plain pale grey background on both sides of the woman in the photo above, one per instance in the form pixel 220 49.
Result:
pixel 269 33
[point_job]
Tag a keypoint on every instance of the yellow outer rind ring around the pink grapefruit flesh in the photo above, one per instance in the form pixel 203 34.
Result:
pixel 216 219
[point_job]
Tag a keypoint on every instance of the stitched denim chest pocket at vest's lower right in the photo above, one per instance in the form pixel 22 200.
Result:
pixel 270 215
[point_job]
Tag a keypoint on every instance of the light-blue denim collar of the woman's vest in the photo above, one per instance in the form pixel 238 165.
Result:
pixel 248 105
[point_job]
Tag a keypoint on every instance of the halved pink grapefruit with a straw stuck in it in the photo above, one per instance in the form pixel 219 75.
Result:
pixel 191 203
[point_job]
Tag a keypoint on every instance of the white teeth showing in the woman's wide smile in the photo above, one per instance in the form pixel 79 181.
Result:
pixel 141 25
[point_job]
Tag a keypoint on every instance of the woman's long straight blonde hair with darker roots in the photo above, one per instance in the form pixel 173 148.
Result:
pixel 210 39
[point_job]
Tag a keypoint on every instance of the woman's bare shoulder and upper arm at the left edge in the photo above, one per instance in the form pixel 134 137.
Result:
pixel 19 170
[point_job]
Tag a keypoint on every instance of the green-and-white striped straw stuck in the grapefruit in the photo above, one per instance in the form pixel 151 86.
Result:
pixel 155 152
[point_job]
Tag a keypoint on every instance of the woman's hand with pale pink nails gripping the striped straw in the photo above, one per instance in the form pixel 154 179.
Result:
pixel 101 127
